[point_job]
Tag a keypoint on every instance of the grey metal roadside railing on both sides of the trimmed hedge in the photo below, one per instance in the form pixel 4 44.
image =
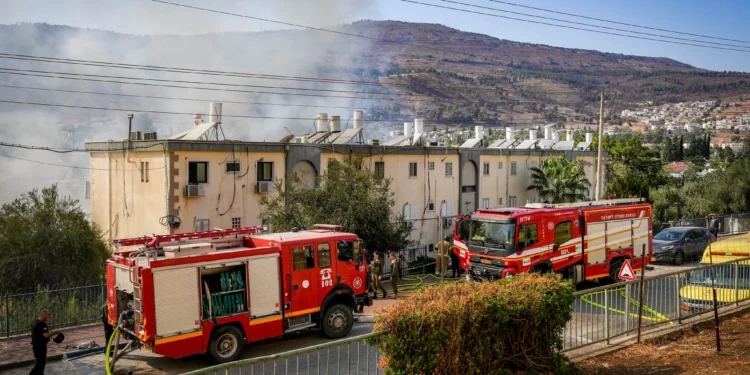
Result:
pixel 599 315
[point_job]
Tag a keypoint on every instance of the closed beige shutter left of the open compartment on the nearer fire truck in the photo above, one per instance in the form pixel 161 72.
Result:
pixel 176 300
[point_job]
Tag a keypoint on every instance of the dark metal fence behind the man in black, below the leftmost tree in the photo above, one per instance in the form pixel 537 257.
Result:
pixel 69 306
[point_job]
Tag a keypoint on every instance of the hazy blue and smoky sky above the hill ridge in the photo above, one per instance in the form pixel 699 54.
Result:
pixel 720 18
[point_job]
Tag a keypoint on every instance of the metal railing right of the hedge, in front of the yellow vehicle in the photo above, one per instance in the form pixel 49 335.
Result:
pixel 604 313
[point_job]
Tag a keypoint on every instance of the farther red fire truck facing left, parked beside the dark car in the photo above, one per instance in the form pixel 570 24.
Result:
pixel 582 241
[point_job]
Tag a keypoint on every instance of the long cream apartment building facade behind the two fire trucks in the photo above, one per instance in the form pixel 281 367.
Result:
pixel 177 186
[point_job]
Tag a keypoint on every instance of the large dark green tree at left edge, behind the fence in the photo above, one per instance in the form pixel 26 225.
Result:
pixel 46 240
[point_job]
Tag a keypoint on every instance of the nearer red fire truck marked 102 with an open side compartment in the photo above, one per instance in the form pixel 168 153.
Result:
pixel 212 292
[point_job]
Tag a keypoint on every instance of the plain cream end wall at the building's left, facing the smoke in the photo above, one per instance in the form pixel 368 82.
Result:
pixel 123 205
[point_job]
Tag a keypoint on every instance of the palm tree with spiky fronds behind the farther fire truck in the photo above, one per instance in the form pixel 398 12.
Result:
pixel 559 180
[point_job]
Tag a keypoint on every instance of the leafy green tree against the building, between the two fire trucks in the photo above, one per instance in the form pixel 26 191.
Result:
pixel 344 195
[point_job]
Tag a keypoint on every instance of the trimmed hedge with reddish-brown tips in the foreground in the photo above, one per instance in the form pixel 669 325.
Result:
pixel 478 328
